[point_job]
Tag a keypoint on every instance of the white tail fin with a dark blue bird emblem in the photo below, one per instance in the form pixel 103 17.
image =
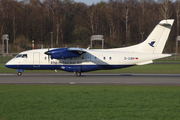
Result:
pixel 156 40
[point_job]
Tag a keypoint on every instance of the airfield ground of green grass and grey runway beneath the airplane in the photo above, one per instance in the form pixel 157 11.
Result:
pixel 115 95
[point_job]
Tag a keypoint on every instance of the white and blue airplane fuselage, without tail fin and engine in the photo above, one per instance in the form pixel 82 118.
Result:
pixel 37 59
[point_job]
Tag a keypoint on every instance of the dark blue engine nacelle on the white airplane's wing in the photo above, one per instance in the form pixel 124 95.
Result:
pixel 61 53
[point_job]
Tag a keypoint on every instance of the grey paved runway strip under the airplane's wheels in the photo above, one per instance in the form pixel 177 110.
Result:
pixel 91 79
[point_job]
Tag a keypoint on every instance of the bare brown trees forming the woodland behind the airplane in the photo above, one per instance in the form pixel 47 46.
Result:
pixel 122 22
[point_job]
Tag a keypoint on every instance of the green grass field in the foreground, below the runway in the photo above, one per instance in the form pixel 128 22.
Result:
pixel 48 102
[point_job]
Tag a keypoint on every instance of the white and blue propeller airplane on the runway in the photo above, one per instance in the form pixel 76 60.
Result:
pixel 80 60
